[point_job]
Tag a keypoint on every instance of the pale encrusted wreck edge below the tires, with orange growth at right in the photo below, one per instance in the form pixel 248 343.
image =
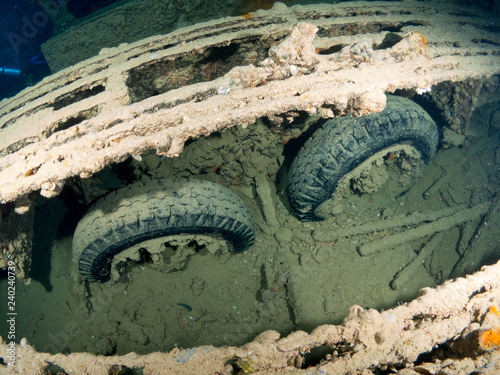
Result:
pixel 453 320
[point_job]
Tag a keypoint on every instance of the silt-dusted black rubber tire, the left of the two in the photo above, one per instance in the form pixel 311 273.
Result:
pixel 140 212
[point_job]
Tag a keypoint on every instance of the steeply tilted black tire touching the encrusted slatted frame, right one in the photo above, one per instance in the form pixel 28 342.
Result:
pixel 343 143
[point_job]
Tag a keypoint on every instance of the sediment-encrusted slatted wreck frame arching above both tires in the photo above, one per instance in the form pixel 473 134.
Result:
pixel 160 92
